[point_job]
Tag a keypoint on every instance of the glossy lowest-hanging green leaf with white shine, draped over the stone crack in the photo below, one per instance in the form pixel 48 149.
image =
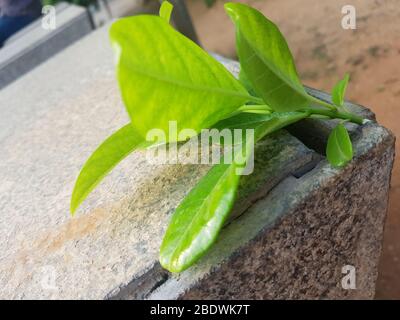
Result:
pixel 199 218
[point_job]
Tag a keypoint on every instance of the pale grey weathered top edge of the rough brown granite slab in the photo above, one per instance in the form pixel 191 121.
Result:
pixel 179 286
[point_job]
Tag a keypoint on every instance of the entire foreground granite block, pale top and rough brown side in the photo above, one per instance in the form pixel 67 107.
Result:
pixel 297 220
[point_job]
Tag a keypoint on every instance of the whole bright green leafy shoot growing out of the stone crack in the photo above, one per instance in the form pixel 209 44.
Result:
pixel 163 77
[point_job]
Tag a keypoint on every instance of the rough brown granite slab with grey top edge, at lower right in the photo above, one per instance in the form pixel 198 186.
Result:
pixel 293 243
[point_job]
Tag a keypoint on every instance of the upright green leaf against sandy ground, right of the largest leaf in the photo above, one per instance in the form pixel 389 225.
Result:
pixel 266 60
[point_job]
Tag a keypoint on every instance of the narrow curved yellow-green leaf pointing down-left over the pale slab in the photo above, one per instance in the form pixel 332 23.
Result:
pixel 103 160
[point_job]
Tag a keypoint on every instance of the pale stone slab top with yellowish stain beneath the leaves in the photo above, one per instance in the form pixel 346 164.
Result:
pixel 110 248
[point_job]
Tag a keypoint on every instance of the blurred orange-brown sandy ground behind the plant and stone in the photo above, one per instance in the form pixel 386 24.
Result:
pixel 324 52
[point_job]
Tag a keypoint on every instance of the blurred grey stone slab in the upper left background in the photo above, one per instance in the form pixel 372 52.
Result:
pixel 34 44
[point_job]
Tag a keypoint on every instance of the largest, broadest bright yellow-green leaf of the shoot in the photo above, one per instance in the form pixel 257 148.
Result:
pixel 164 76
